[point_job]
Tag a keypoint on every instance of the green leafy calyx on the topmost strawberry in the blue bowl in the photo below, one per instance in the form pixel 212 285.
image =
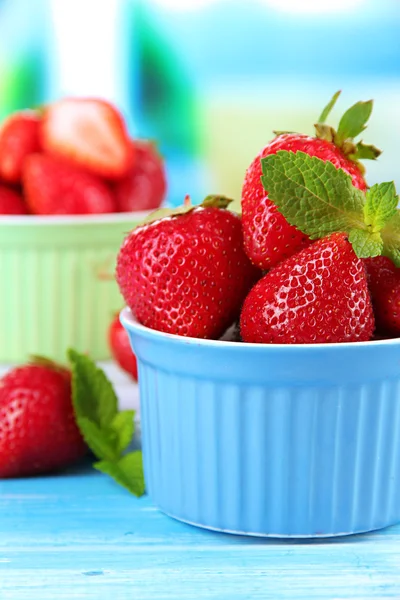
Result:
pixel 351 125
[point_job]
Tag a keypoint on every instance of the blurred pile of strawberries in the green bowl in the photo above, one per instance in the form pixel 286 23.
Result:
pixel 75 156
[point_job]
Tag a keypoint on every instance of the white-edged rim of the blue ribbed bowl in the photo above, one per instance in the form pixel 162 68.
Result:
pixel 127 318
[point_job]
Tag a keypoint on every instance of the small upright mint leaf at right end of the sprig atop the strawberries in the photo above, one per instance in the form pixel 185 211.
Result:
pixel 380 205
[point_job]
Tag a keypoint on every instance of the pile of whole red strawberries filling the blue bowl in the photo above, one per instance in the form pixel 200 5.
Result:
pixel 196 271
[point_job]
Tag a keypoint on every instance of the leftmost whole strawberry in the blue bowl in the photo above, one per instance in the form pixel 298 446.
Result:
pixel 187 273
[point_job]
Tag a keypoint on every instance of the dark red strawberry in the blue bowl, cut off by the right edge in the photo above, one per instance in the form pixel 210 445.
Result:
pixel 384 285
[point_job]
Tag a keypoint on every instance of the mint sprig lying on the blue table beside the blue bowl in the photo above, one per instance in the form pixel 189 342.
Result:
pixel 106 431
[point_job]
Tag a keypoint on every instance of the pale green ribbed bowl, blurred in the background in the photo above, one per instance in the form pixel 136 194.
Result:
pixel 57 283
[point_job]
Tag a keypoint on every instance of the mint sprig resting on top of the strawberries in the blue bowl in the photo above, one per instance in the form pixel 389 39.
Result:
pixel 319 200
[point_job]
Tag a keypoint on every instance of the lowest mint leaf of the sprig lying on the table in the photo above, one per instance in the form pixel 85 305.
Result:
pixel 127 471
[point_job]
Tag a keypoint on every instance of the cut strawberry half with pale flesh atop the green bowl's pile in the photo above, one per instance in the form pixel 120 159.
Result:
pixel 90 133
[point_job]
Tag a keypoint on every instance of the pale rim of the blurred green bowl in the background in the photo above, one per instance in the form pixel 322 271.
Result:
pixel 51 220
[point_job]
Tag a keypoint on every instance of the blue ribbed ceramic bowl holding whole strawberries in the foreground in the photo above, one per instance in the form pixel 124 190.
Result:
pixel 270 440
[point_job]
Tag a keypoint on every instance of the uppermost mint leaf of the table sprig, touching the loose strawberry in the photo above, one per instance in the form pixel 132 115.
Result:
pixel 93 395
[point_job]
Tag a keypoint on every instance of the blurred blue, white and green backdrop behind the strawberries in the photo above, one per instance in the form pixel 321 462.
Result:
pixel 209 79
